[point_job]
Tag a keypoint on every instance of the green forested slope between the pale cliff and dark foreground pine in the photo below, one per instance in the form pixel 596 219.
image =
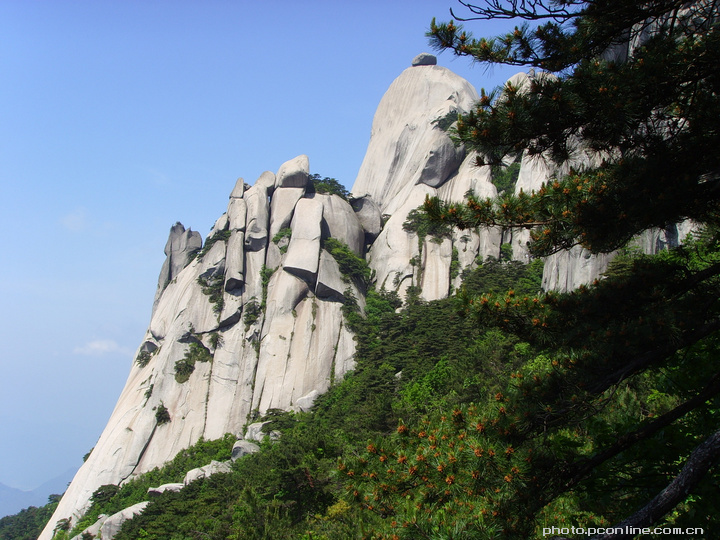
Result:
pixel 287 490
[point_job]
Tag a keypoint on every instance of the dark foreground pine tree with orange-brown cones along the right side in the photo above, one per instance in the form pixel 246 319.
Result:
pixel 616 421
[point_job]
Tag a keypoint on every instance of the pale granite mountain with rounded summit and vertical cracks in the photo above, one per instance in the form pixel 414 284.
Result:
pixel 251 319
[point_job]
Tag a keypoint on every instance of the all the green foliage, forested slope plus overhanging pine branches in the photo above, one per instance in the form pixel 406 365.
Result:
pixel 506 410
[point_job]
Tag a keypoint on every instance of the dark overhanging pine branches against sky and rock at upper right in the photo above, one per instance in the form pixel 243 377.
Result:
pixel 648 115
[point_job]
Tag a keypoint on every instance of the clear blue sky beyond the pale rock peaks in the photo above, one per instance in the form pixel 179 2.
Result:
pixel 119 118
